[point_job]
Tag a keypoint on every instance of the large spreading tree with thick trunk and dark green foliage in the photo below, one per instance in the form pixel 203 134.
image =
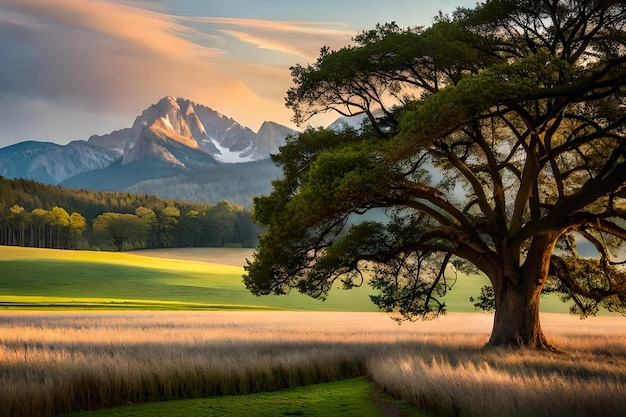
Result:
pixel 499 146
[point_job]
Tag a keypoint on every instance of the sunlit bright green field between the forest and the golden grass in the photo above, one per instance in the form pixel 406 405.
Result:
pixel 181 279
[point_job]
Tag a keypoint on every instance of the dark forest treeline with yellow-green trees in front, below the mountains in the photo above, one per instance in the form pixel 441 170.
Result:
pixel 45 216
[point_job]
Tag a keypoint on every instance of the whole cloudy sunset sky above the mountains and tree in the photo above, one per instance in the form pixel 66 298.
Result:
pixel 73 68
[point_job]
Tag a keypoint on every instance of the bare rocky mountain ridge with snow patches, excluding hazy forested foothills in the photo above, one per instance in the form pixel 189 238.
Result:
pixel 176 132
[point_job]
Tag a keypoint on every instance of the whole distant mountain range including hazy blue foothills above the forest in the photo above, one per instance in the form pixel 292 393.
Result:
pixel 175 149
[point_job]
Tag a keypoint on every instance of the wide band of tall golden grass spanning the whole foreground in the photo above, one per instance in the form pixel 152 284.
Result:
pixel 55 363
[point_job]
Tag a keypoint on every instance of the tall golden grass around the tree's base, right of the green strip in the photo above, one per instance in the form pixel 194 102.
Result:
pixel 456 379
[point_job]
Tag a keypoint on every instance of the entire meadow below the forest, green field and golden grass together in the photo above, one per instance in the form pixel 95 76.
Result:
pixel 84 331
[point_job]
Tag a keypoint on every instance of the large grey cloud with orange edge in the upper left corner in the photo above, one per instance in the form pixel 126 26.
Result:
pixel 91 53
